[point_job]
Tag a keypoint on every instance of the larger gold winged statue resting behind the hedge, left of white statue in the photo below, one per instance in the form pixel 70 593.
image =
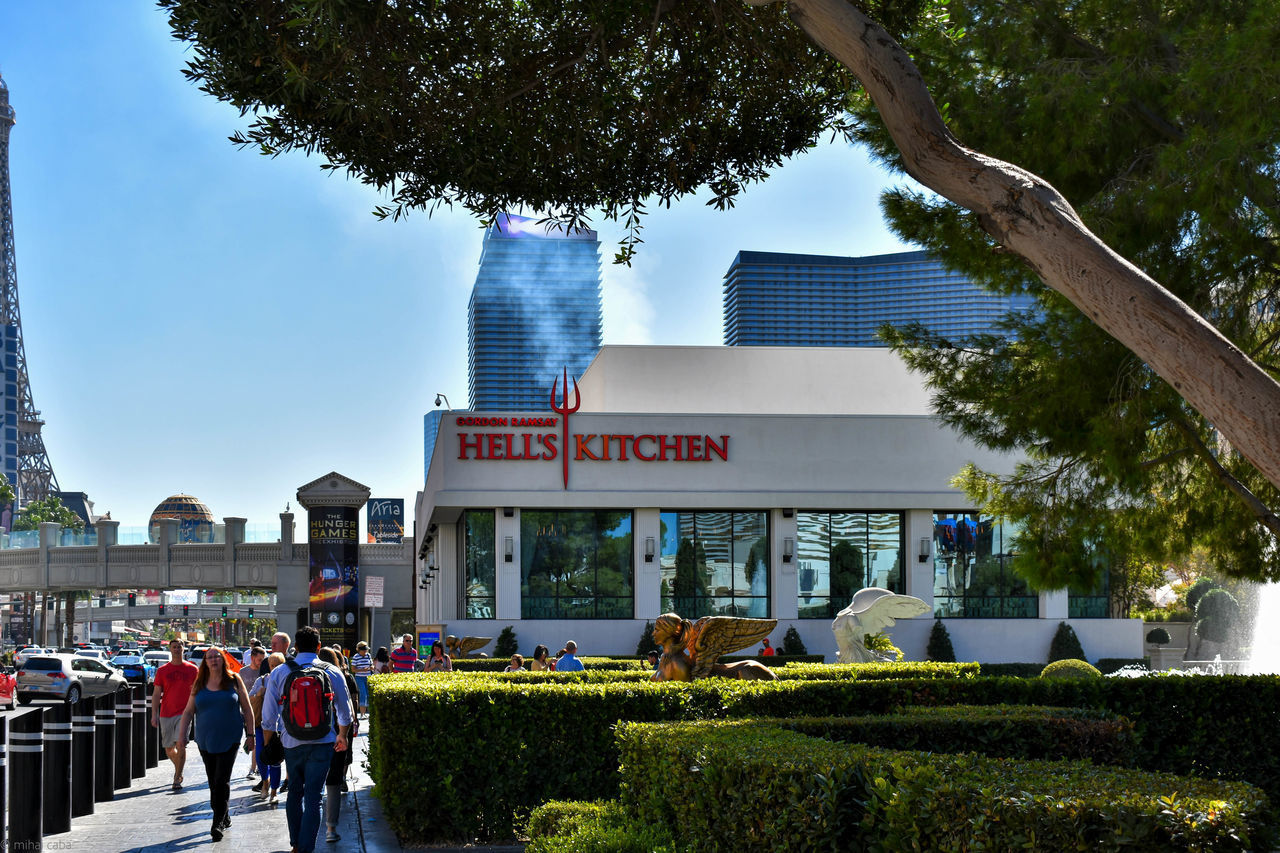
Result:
pixel 692 650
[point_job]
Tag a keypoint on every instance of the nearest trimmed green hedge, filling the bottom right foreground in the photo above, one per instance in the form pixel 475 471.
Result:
pixel 755 787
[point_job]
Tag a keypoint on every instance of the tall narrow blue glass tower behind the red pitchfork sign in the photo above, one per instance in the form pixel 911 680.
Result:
pixel 534 313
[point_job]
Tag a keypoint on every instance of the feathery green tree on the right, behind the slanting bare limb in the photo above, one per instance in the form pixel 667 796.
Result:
pixel 1171 161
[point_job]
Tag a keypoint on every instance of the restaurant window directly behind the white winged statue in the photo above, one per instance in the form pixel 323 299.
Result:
pixel 838 554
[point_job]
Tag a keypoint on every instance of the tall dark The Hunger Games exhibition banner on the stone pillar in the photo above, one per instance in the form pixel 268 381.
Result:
pixel 335 545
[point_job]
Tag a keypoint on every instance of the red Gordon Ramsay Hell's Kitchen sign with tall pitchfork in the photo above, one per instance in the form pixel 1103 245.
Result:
pixel 514 440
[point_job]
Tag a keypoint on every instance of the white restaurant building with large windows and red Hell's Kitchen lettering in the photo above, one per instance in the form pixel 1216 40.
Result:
pixel 728 481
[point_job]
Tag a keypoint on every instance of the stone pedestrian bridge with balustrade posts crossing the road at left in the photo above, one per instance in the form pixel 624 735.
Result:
pixel 168 564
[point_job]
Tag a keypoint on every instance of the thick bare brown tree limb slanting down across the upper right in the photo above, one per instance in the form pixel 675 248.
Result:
pixel 1031 218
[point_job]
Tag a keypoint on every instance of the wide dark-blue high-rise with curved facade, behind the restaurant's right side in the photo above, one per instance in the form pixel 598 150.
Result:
pixel 778 299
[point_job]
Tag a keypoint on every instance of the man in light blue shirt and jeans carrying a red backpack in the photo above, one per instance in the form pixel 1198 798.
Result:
pixel 308 761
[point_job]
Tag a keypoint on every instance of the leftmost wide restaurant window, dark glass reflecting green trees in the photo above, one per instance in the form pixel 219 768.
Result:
pixel 577 564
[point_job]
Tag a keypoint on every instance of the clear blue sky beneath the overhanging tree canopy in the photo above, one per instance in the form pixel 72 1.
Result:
pixel 203 320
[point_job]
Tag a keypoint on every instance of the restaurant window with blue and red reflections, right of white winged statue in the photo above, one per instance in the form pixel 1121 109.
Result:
pixel 973 574
